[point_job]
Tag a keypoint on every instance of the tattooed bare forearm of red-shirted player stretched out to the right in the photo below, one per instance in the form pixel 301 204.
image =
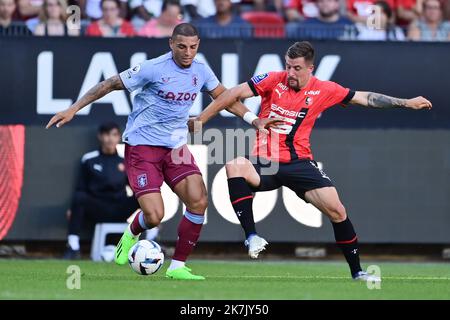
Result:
pixel 377 100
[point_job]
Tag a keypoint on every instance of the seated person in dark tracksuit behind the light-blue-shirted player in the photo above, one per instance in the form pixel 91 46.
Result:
pixel 100 195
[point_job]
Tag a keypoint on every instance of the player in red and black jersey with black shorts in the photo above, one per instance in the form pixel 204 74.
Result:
pixel 298 98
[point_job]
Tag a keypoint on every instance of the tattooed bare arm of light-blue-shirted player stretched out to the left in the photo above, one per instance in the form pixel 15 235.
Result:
pixel 95 93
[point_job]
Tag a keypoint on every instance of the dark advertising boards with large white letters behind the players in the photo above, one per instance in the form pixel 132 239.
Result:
pixel 391 167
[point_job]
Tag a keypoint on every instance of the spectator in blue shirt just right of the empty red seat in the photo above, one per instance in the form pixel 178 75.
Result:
pixel 328 25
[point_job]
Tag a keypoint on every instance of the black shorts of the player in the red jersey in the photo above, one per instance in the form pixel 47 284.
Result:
pixel 300 176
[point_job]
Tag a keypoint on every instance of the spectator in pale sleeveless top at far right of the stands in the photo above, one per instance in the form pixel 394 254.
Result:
pixel 430 26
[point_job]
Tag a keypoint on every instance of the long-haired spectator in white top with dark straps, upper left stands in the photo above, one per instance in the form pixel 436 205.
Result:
pixel 52 20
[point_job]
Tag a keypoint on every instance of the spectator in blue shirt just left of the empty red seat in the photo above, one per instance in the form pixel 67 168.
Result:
pixel 225 24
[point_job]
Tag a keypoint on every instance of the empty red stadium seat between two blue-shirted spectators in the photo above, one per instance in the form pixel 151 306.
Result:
pixel 265 24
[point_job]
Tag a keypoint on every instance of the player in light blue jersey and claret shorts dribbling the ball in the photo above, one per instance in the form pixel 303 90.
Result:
pixel 155 140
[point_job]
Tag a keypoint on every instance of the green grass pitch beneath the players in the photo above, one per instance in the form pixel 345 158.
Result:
pixel 46 279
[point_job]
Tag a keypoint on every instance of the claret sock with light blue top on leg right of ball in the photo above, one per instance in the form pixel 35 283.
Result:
pixel 188 233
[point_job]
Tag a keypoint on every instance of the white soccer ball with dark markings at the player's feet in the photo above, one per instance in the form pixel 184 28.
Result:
pixel 146 257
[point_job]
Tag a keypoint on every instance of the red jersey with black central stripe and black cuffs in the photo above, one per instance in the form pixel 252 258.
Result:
pixel 298 109
